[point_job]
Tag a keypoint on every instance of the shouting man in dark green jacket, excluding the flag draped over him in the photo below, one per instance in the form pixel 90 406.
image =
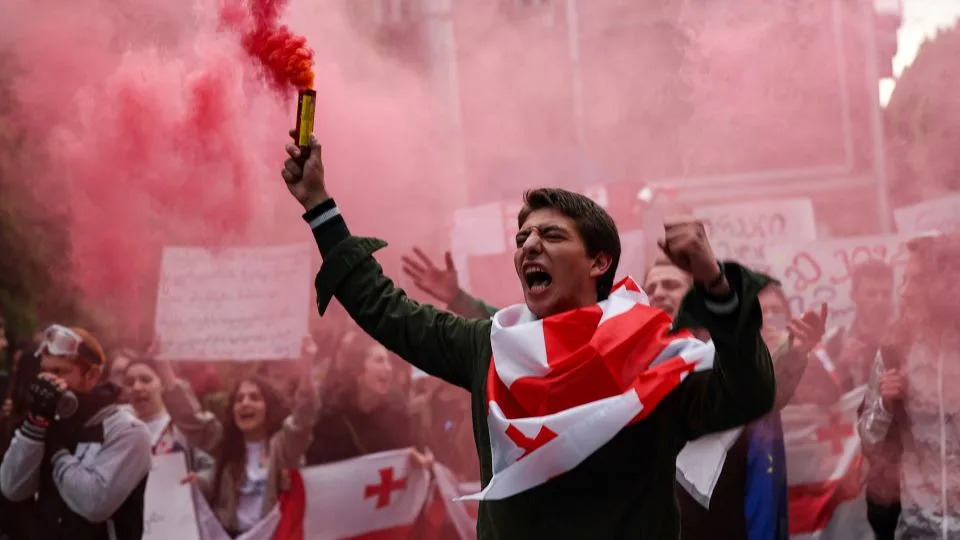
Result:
pixel 567 252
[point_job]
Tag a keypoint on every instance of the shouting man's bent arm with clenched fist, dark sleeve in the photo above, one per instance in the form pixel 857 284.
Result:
pixel 740 387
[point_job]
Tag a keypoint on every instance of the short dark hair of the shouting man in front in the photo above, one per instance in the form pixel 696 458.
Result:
pixel 594 225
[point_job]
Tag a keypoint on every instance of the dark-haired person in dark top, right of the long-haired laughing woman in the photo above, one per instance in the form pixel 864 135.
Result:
pixel 363 411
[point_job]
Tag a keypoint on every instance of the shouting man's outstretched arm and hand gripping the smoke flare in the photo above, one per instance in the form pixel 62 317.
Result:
pixel 435 341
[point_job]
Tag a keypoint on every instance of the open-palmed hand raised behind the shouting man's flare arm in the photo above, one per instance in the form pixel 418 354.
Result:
pixel 442 284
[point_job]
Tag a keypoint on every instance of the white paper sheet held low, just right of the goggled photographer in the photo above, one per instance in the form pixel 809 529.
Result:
pixel 168 510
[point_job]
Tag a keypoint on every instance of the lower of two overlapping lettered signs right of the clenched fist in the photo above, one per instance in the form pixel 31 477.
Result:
pixel 821 272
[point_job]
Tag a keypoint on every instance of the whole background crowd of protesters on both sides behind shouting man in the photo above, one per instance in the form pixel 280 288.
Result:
pixel 79 425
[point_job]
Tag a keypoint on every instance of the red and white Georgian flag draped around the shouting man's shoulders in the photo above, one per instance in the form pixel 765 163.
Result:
pixel 559 388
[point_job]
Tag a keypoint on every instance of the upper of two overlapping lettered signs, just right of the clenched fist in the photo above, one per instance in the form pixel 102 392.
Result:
pixel 742 232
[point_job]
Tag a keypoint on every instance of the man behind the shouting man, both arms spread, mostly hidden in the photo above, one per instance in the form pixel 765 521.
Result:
pixel 749 499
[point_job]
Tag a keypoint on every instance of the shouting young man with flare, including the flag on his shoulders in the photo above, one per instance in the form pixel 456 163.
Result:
pixel 582 397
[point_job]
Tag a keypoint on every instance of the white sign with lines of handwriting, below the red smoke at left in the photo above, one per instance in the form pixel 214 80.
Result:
pixel 233 304
